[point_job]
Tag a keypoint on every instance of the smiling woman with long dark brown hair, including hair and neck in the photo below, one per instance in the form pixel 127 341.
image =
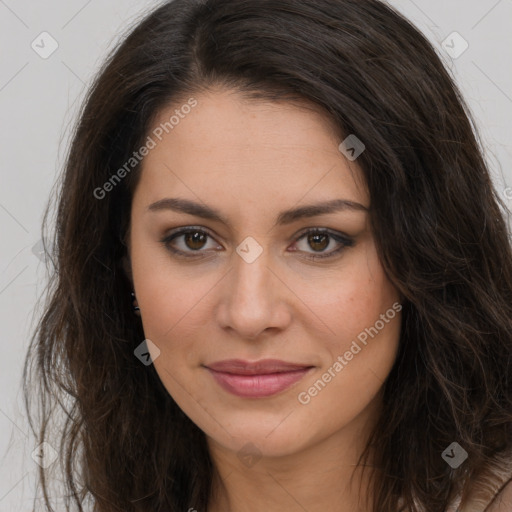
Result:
pixel 283 278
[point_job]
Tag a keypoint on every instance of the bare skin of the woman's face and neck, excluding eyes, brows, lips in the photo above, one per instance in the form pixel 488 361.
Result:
pixel 251 159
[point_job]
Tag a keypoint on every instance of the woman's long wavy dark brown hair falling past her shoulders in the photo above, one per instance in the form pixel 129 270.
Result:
pixel 438 224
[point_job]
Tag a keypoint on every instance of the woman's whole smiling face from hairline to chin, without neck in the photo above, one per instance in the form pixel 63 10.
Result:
pixel 274 320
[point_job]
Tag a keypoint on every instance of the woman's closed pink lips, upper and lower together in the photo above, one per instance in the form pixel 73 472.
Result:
pixel 258 379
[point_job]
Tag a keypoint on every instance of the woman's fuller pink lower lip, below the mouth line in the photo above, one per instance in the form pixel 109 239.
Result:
pixel 258 386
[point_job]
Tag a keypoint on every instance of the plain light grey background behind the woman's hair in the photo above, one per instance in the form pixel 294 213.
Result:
pixel 38 103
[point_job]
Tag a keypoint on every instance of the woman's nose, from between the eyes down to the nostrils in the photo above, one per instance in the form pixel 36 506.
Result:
pixel 254 299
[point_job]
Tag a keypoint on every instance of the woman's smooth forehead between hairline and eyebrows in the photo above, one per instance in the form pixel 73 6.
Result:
pixel 251 148
